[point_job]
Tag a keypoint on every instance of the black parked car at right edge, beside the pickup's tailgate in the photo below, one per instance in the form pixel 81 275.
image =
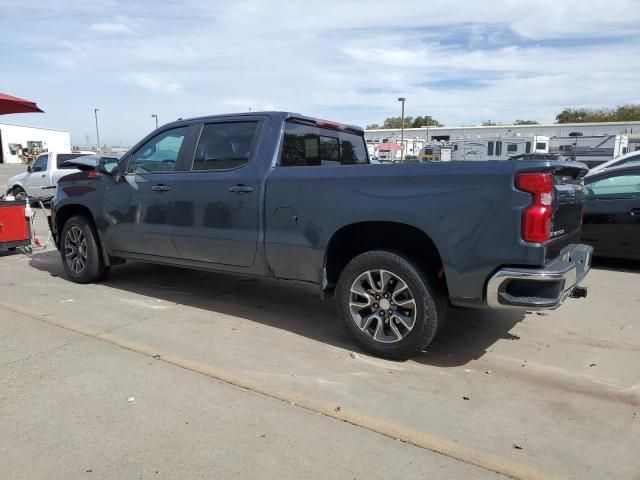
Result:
pixel 611 222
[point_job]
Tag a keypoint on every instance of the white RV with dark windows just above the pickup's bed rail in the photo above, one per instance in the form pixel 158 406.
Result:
pixel 498 148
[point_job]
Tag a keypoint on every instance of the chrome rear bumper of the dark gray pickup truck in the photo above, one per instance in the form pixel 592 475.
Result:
pixel 541 288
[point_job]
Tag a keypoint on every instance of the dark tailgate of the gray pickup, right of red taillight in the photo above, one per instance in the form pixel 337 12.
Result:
pixel 567 207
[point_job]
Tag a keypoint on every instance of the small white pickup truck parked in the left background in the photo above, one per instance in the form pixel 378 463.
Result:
pixel 41 178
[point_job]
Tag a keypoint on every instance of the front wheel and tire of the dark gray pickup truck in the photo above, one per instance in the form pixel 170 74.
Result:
pixel 79 236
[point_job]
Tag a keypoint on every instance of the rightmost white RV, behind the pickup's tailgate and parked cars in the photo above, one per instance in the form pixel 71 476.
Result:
pixel 591 150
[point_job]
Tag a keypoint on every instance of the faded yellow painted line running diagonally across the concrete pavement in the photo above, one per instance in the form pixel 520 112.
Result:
pixel 378 425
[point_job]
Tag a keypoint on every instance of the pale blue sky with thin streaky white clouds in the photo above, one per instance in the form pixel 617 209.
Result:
pixel 462 62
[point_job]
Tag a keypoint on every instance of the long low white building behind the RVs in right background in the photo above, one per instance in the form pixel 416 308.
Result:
pixel 415 136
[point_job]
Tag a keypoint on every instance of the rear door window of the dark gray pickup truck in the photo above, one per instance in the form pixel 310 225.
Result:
pixel 225 146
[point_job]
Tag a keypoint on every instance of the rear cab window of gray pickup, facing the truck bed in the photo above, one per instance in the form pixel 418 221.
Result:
pixel 307 145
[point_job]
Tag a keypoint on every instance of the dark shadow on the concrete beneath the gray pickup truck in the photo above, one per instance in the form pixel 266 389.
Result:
pixel 293 307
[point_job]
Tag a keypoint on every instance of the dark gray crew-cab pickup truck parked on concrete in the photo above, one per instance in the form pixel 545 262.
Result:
pixel 291 197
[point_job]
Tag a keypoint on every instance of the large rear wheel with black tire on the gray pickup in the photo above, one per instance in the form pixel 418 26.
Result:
pixel 428 308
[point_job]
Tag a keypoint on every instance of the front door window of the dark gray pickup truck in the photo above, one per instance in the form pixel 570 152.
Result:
pixel 160 154
